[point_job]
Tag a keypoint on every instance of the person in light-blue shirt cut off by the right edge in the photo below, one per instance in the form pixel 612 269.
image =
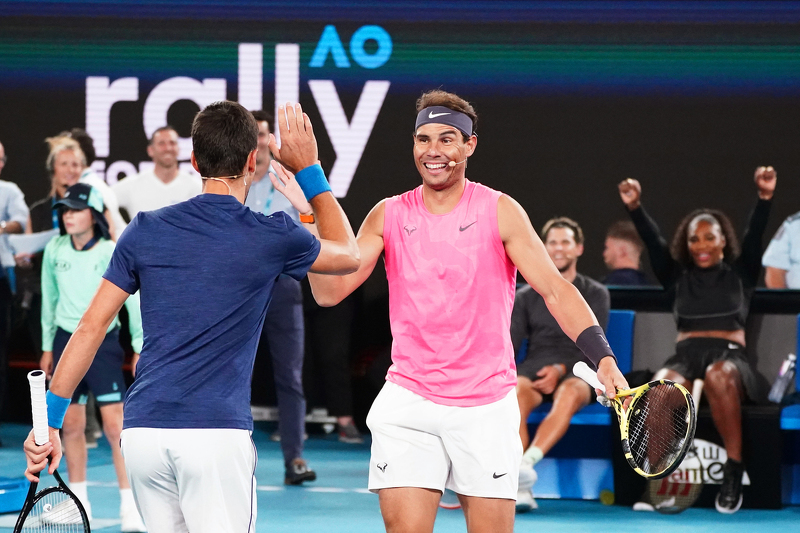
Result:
pixel 782 258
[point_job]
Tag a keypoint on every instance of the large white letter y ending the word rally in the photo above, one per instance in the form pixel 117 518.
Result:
pixel 349 140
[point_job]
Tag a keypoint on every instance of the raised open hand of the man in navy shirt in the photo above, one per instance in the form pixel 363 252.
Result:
pixel 298 148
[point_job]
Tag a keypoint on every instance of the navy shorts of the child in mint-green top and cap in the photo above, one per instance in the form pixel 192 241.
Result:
pixel 104 378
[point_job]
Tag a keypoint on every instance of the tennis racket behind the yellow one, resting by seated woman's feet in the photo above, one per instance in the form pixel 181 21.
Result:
pixel 673 496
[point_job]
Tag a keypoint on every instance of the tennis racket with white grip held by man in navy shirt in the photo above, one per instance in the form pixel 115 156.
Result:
pixel 53 509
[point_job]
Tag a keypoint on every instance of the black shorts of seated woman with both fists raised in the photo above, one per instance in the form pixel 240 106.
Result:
pixel 693 356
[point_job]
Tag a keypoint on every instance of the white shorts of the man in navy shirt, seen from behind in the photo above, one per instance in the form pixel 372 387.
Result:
pixel 198 480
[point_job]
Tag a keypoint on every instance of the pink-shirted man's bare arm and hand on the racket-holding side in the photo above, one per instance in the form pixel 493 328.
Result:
pixel 563 300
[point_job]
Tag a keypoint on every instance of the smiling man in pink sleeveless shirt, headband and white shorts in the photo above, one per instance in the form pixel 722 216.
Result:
pixel 448 415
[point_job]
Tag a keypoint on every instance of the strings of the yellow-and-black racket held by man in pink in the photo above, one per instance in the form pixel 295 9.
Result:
pixel 659 428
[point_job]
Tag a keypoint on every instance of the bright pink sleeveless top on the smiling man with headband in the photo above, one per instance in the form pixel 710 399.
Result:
pixel 451 291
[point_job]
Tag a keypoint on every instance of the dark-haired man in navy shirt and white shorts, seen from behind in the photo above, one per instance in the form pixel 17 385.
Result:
pixel 205 269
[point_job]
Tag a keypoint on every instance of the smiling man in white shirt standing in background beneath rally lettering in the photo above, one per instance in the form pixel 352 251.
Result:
pixel 164 185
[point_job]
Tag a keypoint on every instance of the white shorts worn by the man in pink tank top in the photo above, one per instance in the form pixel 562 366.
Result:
pixel 474 451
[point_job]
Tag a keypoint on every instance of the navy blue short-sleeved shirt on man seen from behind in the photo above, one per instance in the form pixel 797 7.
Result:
pixel 205 269
